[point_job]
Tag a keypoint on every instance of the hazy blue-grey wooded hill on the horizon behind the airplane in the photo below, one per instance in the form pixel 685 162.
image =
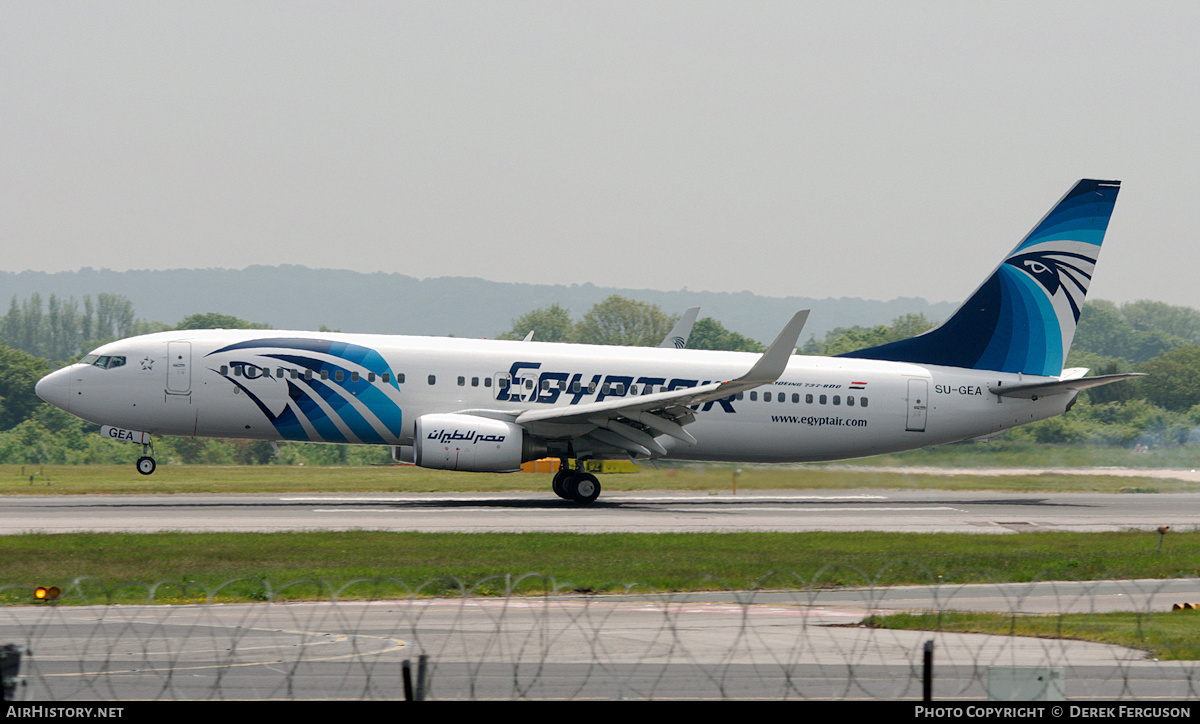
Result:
pixel 291 297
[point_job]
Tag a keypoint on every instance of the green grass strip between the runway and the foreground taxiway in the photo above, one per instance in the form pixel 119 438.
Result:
pixel 603 563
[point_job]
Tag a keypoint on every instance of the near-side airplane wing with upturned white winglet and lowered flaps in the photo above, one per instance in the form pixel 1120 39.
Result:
pixel 631 424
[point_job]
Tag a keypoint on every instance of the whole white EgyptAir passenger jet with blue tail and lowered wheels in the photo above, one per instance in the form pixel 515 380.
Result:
pixel 493 405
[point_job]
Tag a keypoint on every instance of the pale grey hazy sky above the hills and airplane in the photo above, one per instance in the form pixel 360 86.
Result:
pixel 845 149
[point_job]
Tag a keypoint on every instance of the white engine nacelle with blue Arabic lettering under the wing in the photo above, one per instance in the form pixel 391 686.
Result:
pixel 464 442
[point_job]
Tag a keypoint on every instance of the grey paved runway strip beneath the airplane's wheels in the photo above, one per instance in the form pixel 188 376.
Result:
pixel 915 512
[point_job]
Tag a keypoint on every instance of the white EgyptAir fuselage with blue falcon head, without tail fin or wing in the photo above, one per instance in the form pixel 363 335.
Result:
pixel 203 385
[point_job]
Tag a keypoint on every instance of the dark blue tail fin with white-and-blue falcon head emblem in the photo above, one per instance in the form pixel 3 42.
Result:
pixel 1023 318
